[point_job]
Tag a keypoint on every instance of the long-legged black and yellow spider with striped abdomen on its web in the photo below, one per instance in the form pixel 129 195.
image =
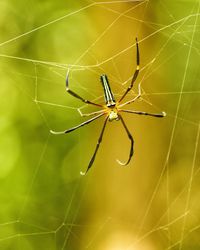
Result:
pixel 112 110
